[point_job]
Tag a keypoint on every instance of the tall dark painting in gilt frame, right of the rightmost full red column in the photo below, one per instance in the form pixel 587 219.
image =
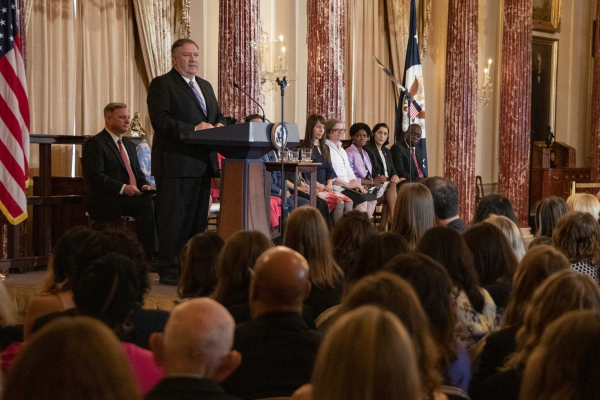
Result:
pixel 543 86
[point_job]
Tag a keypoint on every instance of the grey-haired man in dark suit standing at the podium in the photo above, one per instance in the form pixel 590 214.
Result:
pixel 179 102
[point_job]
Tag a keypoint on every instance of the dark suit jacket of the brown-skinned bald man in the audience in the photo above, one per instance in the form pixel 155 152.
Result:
pixel 278 352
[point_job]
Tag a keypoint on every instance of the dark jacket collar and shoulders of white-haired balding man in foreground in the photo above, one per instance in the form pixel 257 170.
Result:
pixel 188 388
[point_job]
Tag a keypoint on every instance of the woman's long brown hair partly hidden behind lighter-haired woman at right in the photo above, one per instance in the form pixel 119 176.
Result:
pixel 538 264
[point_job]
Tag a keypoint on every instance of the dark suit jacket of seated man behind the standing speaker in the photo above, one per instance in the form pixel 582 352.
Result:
pixel 105 174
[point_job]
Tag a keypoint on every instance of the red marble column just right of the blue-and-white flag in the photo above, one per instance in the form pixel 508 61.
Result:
pixel 461 101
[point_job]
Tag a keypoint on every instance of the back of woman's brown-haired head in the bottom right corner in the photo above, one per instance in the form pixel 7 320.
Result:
pixel 565 363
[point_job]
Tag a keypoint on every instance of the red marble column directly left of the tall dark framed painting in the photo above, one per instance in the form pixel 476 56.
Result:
pixel 515 106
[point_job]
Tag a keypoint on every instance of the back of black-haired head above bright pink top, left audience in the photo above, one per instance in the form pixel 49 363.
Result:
pixel 107 290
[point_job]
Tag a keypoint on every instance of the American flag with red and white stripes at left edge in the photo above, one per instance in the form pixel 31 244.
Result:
pixel 14 118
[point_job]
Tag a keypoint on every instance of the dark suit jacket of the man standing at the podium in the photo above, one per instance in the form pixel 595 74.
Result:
pixel 174 109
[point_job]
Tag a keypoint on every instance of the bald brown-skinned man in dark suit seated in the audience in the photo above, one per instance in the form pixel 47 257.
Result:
pixel 278 348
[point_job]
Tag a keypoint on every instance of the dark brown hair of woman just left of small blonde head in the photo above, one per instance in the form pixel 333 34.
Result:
pixel 493 258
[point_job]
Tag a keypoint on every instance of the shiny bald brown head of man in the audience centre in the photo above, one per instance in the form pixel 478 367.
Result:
pixel 280 281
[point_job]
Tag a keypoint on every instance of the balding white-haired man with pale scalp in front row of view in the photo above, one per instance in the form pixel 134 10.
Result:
pixel 195 352
